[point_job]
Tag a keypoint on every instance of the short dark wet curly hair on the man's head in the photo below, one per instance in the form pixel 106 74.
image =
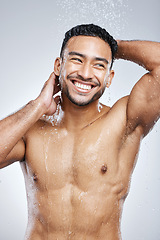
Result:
pixel 90 30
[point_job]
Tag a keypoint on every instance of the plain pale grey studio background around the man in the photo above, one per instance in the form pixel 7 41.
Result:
pixel 31 37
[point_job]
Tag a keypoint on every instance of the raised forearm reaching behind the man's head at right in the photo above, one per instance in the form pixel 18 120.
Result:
pixel 144 53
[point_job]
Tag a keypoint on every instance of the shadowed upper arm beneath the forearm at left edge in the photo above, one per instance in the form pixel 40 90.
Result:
pixel 16 154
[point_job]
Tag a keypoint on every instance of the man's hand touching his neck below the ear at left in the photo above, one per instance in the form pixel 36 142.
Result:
pixel 46 97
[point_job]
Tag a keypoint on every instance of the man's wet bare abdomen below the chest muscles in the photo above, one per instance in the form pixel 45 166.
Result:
pixel 69 213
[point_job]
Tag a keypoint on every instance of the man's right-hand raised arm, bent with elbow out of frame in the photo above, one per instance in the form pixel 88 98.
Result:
pixel 143 108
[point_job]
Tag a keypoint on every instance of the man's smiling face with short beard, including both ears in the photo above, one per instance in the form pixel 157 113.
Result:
pixel 84 71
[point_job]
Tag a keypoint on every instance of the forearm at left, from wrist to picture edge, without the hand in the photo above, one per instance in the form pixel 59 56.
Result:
pixel 13 128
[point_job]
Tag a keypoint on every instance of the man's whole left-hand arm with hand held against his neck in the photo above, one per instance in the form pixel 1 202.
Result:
pixel 13 128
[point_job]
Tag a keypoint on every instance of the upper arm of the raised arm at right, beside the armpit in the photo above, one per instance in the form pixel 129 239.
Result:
pixel 143 107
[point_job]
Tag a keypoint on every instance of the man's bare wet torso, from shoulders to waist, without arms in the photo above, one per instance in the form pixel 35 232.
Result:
pixel 77 181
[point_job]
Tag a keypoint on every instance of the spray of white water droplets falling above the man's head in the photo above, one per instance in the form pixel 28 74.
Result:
pixel 109 13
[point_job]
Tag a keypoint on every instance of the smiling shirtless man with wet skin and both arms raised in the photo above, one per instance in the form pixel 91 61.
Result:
pixel 78 162
